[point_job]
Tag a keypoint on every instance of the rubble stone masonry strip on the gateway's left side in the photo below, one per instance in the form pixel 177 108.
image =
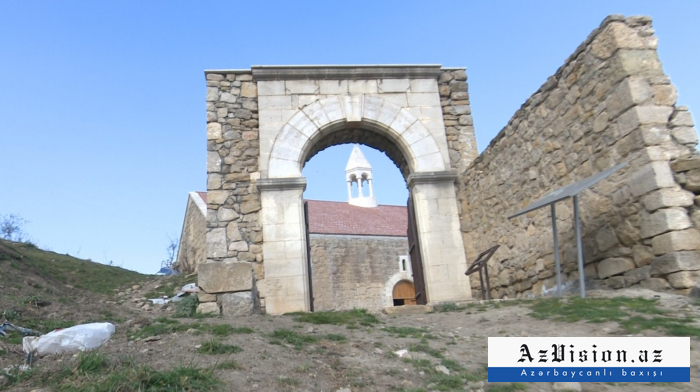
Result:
pixel 234 234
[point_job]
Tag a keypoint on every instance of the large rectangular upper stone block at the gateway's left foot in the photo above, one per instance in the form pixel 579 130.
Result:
pixel 225 277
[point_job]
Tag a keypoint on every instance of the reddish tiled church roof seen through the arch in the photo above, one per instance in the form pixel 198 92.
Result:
pixel 333 217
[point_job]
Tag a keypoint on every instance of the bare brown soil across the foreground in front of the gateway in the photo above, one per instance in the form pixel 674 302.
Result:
pixel 363 361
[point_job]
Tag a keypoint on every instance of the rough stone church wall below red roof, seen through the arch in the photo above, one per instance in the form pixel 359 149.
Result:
pixel 352 271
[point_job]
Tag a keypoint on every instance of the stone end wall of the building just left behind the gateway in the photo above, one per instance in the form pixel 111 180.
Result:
pixel 192 250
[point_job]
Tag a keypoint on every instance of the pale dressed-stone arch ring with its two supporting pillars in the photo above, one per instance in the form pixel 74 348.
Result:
pixel 411 145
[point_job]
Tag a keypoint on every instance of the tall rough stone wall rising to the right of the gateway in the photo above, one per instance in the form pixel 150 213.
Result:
pixel 609 103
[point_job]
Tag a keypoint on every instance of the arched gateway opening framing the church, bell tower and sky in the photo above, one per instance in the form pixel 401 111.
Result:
pixel 357 238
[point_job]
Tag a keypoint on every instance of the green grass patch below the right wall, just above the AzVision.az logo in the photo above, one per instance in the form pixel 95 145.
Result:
pixel 633 314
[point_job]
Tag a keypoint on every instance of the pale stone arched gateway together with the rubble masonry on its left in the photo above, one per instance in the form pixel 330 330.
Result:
pixel 300 110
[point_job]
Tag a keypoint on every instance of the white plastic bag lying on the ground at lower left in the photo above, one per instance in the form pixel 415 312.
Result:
pixel 78 338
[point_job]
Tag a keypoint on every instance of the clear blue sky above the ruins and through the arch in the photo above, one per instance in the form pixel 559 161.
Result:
pixel 102 110
